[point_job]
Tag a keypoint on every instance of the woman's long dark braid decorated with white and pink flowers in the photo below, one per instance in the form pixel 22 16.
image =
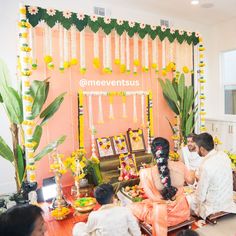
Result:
pixel 160 150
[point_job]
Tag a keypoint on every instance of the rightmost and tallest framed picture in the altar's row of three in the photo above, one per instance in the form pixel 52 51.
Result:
pixel 136 140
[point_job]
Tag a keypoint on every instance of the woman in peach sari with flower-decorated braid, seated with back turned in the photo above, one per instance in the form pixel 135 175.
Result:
pixel 163 184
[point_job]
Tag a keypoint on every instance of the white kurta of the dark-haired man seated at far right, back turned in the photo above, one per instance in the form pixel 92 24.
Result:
pixel 214 192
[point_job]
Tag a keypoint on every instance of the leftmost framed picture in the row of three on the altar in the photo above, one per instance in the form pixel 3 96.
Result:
pixel 104 147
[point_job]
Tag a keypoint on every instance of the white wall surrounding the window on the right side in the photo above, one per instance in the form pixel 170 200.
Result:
pixel 222 38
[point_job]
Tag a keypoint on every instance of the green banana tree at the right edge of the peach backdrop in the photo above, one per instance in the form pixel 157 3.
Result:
pixel 180 98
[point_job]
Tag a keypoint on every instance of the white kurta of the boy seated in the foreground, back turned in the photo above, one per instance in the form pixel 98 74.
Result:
pixel 109 220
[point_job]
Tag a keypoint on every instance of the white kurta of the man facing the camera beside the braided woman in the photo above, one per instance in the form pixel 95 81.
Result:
pixel 191 159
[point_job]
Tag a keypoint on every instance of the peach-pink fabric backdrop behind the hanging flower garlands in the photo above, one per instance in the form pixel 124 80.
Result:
pixel 65 121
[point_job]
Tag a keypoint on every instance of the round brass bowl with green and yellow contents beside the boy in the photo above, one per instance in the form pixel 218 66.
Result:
pixel 84 204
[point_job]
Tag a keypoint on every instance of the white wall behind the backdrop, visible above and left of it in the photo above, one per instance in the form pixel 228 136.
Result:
pixel 8 46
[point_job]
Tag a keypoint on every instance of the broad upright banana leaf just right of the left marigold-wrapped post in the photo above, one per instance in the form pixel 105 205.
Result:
pixel 38 92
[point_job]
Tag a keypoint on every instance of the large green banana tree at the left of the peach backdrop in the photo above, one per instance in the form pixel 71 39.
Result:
pixel 12 101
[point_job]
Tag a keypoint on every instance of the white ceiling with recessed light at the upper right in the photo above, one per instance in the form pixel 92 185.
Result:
pixel 220 10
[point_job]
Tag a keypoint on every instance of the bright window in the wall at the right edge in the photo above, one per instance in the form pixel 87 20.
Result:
pixel 228 65
